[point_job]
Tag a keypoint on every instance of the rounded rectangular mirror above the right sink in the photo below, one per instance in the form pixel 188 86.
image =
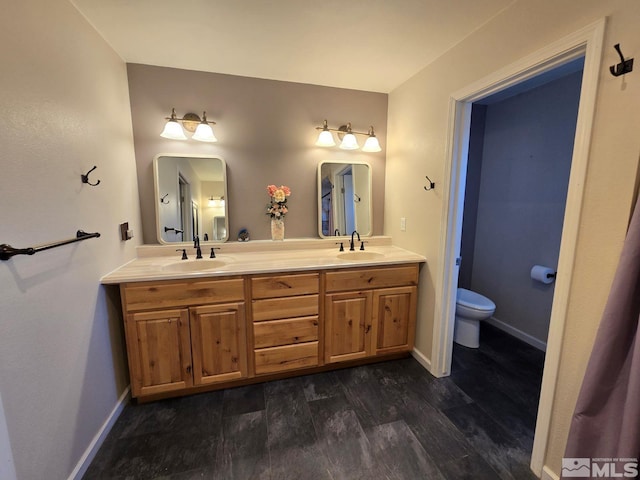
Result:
pixel 344 199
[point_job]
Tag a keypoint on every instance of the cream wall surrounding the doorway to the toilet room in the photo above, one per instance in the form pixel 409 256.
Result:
pixel 417 136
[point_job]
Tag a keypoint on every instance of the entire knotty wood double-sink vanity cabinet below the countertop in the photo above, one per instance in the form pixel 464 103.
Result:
pixel 192 335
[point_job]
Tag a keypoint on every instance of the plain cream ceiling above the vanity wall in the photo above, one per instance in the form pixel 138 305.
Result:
pixel 372 45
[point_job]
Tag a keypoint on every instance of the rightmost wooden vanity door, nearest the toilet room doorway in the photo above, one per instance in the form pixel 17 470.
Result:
pixel 394 318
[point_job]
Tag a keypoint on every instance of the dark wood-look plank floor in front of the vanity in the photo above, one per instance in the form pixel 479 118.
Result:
pixel 390 420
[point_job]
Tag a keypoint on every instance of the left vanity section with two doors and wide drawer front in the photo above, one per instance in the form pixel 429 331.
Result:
pixel 184 333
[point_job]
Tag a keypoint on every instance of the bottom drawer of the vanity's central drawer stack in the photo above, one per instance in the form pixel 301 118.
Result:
pixel 288 357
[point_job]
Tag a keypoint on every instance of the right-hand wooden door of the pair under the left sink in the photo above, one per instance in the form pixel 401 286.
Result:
pixel 218 343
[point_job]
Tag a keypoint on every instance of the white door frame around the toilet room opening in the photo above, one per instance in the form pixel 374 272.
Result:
pixel 586 42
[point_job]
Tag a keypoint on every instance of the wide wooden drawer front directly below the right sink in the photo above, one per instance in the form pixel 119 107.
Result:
pixel 371 278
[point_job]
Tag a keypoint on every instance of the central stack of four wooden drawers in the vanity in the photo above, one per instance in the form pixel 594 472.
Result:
pixel 285 322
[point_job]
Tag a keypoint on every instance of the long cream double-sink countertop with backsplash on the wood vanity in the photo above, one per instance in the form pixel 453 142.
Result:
pixel 162 262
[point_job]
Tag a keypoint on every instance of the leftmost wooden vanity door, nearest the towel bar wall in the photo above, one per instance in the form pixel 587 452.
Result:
pixel 159 351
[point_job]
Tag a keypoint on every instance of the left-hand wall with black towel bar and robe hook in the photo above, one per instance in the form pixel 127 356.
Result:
pixel 65 108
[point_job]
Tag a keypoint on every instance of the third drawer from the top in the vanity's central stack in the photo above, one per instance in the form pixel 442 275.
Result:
pixel 285 332
